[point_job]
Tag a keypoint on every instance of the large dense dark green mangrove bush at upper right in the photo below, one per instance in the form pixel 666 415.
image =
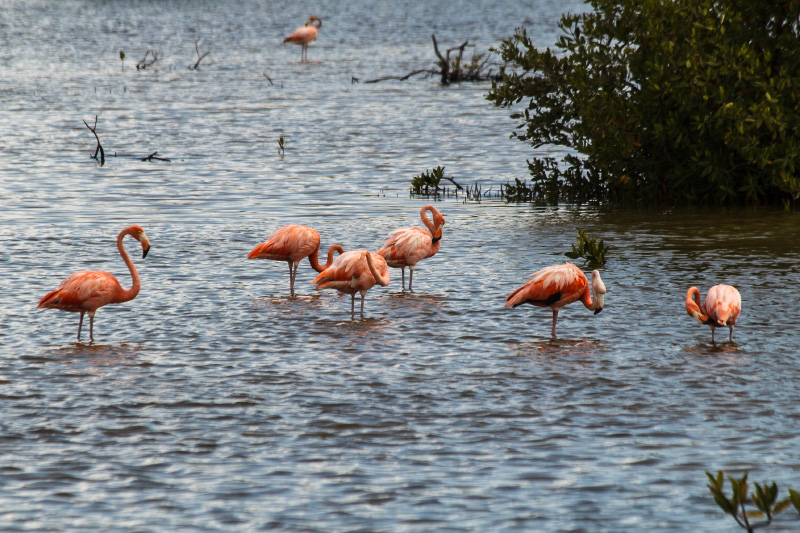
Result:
pixel 664 102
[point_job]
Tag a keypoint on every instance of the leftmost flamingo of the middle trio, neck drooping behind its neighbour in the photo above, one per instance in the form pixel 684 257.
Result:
pixel 292 244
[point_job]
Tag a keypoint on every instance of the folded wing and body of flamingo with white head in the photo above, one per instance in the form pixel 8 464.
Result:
pixel 554 286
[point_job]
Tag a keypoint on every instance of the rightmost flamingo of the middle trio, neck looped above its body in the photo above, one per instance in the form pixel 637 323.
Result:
pixel 405 247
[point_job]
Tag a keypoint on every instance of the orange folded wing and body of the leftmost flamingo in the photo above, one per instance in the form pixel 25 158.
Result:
pixel 83 291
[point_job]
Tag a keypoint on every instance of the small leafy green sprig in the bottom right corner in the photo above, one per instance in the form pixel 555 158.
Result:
pixel 765 498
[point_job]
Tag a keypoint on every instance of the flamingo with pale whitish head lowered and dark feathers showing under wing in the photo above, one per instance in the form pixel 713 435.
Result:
pixel 557 286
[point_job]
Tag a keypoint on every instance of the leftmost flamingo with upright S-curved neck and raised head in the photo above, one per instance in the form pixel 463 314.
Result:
pixel 87 291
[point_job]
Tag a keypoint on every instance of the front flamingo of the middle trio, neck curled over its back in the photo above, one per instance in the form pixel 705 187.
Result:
pixel 352 272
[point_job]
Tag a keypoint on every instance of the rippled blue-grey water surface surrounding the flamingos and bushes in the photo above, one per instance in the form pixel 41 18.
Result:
pixel 215 401
